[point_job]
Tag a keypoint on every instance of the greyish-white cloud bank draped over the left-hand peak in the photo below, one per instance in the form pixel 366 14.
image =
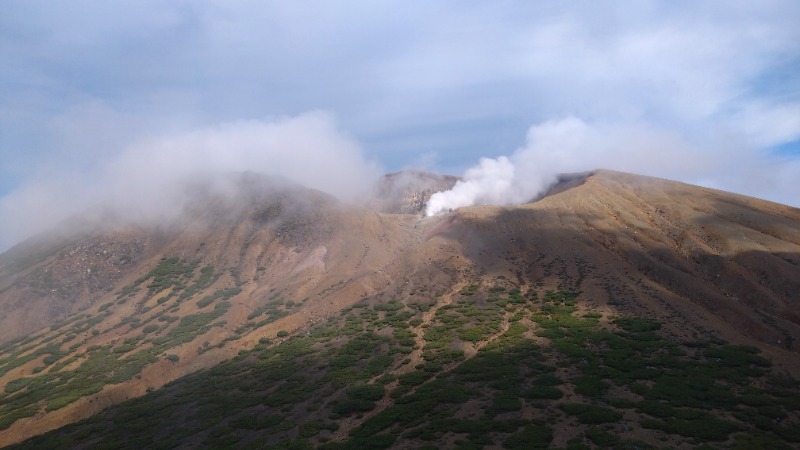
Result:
pixel 147 180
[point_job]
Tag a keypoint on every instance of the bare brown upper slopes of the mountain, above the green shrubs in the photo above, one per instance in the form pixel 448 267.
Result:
pixel 633 245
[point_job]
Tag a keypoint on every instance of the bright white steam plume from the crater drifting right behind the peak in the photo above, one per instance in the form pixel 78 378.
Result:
pixel 573 145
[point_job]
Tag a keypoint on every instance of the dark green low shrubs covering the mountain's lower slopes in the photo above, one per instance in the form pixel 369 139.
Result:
pixel 537 364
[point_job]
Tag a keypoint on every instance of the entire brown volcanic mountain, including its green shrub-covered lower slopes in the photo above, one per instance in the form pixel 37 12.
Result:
pixel 618 310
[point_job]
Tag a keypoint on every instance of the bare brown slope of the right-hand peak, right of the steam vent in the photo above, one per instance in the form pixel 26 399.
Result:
pixel 661 248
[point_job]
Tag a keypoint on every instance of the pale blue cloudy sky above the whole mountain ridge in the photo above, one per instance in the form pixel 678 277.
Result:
pixel 114 101
